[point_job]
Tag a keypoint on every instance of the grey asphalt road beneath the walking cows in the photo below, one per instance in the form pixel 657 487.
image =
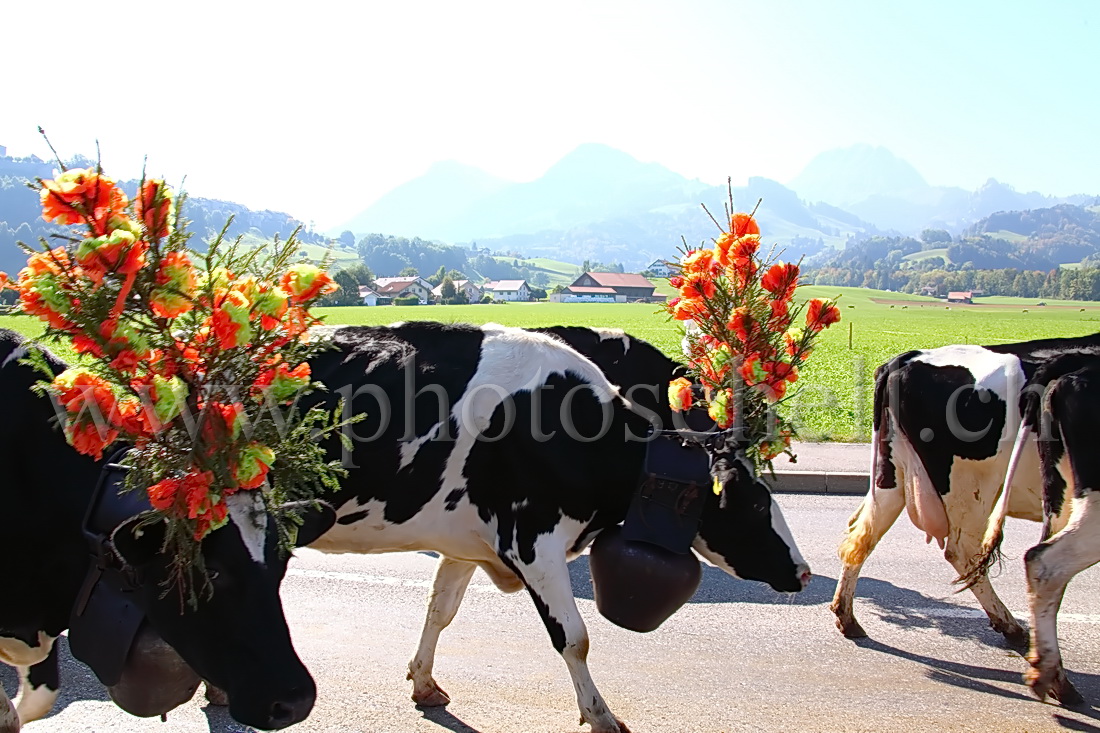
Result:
pixel 739 658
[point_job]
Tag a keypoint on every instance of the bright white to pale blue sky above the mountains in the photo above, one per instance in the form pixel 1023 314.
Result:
pixel 317 108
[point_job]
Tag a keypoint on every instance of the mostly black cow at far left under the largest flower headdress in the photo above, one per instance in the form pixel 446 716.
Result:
pixel 239 640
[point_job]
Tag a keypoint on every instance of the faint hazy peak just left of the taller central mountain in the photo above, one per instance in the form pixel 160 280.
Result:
pixel 427 204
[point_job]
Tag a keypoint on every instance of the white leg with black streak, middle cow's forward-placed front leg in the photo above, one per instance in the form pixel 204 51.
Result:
pixel 547 581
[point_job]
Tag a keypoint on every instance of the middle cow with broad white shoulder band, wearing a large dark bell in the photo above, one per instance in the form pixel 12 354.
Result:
pixel 507 450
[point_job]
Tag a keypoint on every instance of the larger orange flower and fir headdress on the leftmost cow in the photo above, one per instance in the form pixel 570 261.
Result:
pixel 186 356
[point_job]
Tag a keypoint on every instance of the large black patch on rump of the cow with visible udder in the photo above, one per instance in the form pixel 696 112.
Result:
pixel 971 429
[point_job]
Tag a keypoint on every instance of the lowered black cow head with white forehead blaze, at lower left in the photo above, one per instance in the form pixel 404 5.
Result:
pixel 237 638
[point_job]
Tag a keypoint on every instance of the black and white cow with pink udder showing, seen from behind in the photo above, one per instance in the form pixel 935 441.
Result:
pixel 944 425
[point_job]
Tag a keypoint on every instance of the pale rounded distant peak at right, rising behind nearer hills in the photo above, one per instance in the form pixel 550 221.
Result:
pixel 850 176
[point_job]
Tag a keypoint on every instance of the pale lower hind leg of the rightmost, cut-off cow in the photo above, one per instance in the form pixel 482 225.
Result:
pixel 1050 567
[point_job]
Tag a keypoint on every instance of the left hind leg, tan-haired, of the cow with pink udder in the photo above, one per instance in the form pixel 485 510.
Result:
pixel 866 528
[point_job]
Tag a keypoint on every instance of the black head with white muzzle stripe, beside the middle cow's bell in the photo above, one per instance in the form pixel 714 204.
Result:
pixel 743 531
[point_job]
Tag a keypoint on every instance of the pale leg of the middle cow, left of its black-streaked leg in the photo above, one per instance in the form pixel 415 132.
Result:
pixel 453 577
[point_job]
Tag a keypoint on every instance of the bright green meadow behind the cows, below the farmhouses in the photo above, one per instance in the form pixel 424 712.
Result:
pixel 834 399
